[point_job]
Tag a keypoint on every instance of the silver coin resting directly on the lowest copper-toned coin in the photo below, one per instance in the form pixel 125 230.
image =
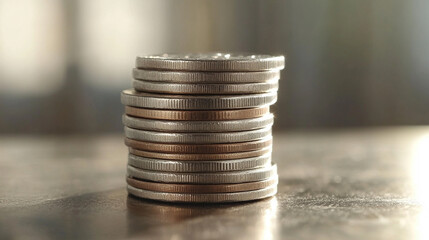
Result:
pixel 253 175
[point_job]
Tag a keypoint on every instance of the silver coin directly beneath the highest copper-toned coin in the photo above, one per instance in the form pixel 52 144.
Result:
pixel 198 126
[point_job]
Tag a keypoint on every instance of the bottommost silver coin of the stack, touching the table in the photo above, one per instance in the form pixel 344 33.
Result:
pixel 204 197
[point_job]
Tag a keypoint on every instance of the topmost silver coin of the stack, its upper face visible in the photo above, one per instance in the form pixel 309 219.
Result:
pixel 228 62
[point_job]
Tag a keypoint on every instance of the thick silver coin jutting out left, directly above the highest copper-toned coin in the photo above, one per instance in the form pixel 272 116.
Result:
pixel 197 102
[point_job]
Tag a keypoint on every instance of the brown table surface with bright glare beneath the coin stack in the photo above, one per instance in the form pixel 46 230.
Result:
pixel 348 184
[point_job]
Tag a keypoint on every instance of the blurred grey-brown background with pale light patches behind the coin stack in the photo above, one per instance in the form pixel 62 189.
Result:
pixel 349 63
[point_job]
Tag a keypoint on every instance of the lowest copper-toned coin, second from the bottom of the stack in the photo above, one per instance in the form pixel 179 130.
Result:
pixel 203 188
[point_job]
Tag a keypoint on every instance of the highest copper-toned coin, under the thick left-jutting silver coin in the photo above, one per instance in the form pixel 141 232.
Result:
pixel 197 115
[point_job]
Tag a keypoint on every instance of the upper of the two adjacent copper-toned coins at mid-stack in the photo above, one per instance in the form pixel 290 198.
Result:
pixel 201 148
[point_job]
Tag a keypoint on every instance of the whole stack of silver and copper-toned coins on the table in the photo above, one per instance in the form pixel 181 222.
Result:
pixel 198 127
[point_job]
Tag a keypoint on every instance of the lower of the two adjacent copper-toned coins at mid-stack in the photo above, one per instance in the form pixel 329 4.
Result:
pixel 201 156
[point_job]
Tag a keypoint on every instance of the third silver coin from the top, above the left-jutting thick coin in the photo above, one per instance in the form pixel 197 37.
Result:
pixel 220 89
